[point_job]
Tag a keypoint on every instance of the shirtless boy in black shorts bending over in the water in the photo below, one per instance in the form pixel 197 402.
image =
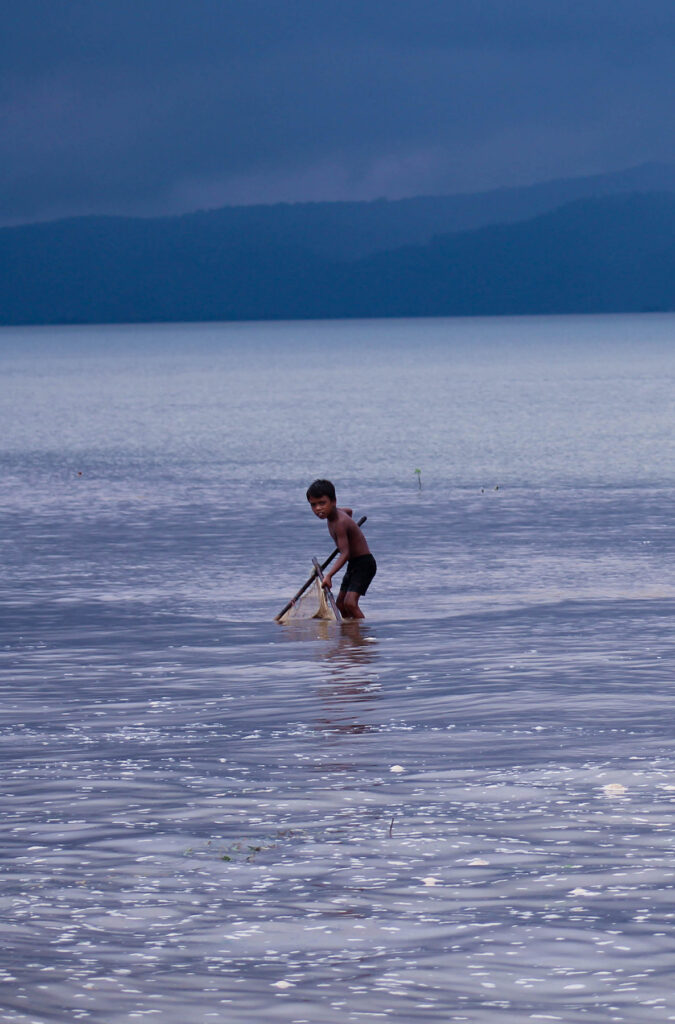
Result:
pixel 352 545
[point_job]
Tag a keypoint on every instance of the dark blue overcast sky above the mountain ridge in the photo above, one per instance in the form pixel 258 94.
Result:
pixel 150 107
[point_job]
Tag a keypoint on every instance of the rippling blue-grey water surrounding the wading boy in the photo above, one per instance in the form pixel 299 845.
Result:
pixel 460 810
